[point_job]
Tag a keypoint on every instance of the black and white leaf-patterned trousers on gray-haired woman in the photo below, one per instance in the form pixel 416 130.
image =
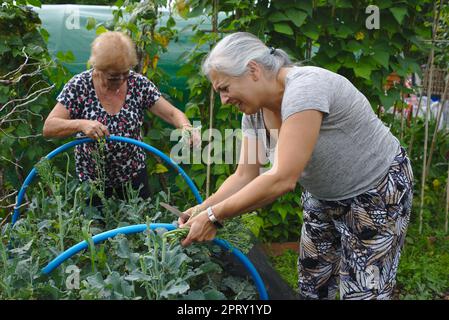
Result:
pixel 356 242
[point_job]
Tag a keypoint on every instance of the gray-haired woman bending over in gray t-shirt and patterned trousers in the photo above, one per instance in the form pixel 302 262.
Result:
pixel 356 178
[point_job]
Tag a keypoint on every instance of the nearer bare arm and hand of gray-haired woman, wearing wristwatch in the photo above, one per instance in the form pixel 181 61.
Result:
pixel 297 139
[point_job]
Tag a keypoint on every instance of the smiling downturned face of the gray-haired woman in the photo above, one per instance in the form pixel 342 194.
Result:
pixel 240 91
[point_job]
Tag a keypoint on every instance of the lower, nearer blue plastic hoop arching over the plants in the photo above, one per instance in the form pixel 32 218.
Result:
pixel 142 227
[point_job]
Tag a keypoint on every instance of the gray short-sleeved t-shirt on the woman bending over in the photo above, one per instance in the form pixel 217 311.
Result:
pixel 354 148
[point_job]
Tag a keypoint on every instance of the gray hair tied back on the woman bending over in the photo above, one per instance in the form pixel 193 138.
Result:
pixel 232 54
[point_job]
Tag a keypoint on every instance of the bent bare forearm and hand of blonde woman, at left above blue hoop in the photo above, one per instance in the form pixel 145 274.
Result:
pixel 58 124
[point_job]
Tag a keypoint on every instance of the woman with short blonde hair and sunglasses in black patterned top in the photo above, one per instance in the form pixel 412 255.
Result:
pixel 110 99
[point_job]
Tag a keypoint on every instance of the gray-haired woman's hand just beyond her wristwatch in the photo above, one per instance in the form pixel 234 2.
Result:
pixel 201 229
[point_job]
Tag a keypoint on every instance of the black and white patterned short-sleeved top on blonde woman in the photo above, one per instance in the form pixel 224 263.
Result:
pixel 122 160
